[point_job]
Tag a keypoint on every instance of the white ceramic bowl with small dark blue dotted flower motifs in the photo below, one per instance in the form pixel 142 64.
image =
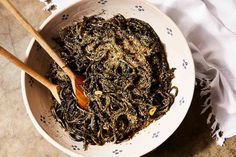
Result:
pixel 38 99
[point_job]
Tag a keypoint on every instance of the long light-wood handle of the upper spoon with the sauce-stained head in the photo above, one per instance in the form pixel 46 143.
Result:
pixel 8 5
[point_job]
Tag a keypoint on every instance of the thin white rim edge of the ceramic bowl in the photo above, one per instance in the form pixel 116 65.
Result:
pixel 23 75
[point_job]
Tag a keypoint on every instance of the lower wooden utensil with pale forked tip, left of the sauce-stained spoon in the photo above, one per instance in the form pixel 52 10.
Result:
pixel 52 87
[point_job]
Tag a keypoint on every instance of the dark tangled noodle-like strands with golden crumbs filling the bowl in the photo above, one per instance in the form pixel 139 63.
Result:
pixel 127 79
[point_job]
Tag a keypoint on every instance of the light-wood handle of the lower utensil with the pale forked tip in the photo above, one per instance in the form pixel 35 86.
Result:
pixel 25 68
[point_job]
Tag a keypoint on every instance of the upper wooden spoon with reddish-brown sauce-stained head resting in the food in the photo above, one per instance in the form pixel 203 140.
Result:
pixel 76 81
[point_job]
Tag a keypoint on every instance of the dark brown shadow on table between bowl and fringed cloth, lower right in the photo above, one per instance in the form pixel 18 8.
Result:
pixel 192 136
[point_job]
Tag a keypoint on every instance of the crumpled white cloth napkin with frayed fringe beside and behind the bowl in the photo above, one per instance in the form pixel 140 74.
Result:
pixel 210 29
